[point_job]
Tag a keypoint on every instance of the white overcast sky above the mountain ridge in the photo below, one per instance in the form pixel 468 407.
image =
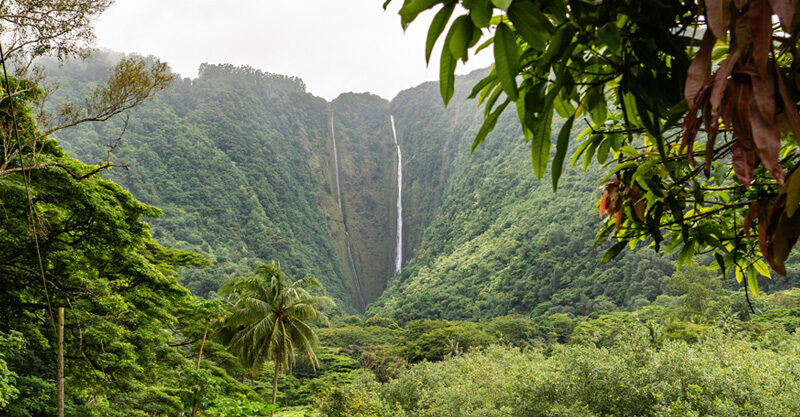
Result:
pixel 335 46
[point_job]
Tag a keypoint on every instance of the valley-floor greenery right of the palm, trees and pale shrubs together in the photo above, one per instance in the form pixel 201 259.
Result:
pixel 698 350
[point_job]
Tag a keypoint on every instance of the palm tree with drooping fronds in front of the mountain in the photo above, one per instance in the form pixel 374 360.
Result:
pixel 270 318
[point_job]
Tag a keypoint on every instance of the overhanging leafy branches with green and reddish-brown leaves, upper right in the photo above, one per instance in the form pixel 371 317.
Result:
pixel 648 76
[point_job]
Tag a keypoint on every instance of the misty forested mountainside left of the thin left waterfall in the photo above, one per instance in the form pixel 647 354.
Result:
pixel 229 158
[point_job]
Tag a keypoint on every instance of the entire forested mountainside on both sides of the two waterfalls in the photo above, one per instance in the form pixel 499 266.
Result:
pixel 242 164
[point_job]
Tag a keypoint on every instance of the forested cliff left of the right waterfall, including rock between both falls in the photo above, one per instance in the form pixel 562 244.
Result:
pixel 242 165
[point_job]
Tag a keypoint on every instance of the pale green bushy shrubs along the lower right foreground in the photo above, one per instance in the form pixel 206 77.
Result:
pixel 719 376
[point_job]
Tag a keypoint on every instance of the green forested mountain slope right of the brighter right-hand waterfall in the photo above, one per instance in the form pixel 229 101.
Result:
pixel 491 239
